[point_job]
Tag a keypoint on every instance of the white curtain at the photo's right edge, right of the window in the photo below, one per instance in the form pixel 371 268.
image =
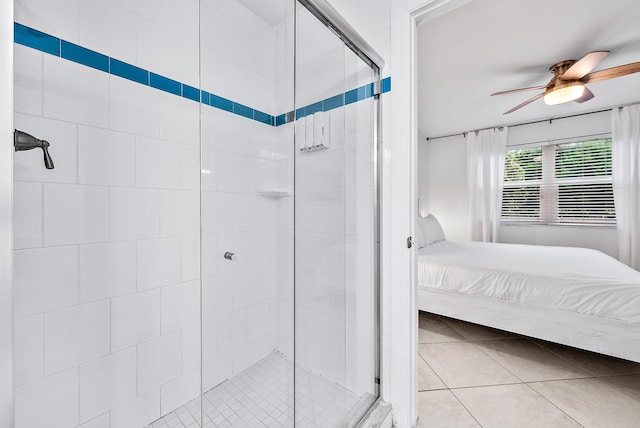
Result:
pixel 626 182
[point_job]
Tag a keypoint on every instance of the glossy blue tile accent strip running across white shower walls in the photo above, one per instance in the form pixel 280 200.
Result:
pixel 46 43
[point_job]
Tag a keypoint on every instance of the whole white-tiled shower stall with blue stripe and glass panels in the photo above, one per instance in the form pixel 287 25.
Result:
pixel 202 247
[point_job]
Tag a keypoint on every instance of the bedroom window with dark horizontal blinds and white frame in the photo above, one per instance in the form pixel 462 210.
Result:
pixel 559 183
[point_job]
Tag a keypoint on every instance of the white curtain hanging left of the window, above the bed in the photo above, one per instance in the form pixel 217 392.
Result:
pixel 485 169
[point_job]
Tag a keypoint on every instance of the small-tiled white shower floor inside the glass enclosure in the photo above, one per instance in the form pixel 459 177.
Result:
pixel 262 396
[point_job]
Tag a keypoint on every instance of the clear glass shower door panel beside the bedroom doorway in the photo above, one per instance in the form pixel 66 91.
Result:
pixel 335 222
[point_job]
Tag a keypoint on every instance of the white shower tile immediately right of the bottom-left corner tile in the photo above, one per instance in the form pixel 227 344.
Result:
pixel 107 382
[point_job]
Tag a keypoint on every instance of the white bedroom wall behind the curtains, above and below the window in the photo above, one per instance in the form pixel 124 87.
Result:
pixel 447 197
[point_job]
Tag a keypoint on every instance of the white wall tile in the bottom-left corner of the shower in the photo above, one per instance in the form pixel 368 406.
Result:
pixel 52 401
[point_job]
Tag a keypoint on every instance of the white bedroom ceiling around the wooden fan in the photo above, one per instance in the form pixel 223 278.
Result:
pixel 485 46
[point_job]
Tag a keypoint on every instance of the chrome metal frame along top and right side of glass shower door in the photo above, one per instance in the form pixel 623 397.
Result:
pixel 328 16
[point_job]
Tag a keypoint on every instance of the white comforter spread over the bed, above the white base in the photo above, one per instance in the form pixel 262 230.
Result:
pixel 573 279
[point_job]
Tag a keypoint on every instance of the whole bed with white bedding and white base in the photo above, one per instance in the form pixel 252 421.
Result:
pixel 573 296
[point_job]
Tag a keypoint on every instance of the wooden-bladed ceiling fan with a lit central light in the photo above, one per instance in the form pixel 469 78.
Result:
pixel 570 77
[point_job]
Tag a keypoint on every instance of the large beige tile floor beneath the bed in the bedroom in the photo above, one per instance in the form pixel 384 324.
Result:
pixel 475 376
